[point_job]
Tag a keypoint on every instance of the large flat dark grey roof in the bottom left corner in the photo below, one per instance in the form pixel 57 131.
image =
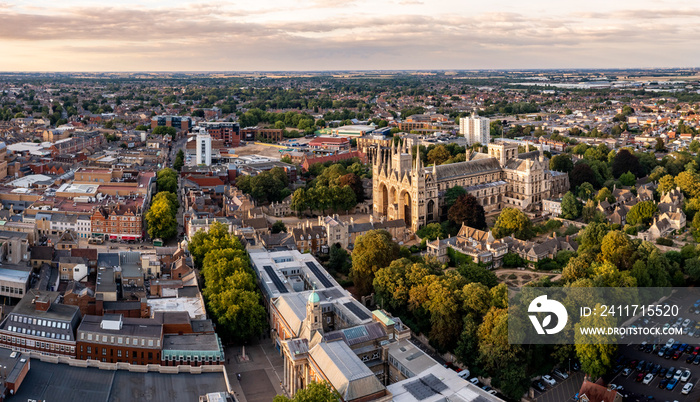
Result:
pixel 64 383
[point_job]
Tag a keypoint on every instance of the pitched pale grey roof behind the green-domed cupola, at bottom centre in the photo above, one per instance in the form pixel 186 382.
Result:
pixel 348 375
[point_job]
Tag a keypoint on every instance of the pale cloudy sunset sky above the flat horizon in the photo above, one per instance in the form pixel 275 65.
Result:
pixel 273 35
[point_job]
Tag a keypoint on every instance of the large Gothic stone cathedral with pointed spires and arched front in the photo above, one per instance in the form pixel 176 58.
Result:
pixel 405 189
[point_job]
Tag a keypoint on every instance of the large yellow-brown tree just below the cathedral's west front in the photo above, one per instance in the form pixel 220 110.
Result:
pixel 373 251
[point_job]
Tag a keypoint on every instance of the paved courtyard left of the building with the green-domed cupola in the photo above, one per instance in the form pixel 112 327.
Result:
pixel 261 375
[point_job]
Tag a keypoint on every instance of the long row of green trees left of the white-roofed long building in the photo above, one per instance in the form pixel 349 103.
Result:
pixel 230 288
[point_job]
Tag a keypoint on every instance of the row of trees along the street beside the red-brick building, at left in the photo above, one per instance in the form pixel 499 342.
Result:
pixel 162 214
